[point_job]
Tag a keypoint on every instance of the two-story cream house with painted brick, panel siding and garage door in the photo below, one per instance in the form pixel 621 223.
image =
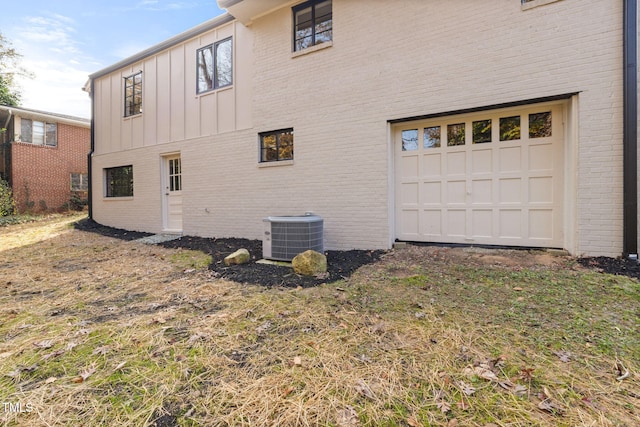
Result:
pixel 500 122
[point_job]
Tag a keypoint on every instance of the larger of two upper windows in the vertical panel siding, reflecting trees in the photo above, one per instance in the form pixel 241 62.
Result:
pixel 215 65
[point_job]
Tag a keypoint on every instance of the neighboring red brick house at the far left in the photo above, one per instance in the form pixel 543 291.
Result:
pixel 43 156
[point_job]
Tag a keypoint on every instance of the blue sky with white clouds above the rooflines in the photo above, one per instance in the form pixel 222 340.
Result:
pixel 63 41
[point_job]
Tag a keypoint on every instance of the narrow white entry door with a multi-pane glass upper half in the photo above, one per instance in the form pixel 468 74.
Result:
pixel 172 193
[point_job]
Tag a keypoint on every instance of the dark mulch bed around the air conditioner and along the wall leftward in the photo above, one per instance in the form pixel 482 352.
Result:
pixel 340 264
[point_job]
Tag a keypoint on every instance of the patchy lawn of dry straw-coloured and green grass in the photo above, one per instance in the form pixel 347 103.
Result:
pixel 95 331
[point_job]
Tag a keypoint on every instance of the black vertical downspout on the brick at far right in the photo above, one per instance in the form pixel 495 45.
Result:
pixel 630 135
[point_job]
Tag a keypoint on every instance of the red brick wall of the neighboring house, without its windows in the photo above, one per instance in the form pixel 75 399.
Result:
pixel 41 175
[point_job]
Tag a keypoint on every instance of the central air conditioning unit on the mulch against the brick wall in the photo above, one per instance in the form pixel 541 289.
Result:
pixel 287 236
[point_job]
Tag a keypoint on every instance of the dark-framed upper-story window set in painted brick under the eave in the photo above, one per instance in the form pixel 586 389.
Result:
pixel 312 24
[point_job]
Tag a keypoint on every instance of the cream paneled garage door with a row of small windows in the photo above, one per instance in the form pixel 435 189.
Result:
pixel 493 178
